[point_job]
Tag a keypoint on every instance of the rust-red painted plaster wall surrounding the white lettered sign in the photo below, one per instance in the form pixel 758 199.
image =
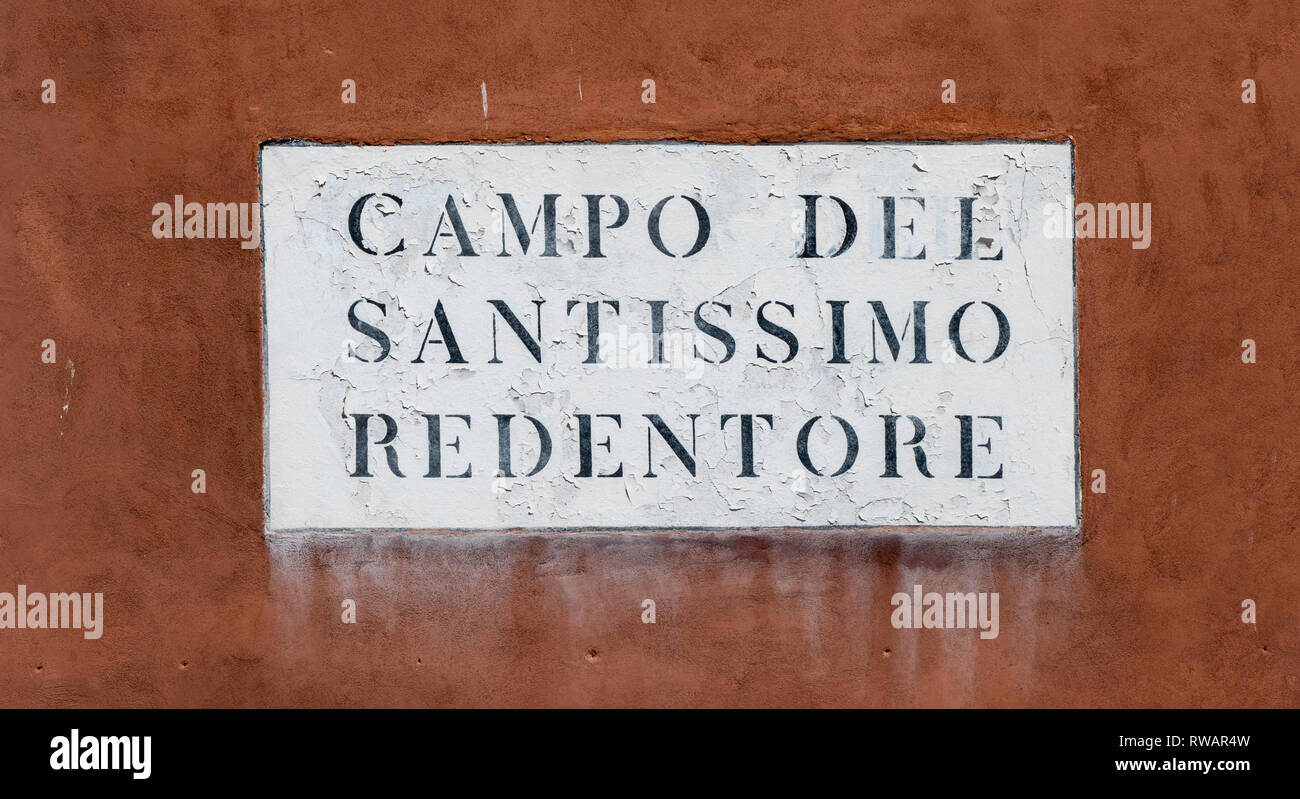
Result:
pixel 159 363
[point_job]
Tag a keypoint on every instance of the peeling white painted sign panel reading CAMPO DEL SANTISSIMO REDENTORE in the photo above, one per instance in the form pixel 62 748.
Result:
pixel 669 336
